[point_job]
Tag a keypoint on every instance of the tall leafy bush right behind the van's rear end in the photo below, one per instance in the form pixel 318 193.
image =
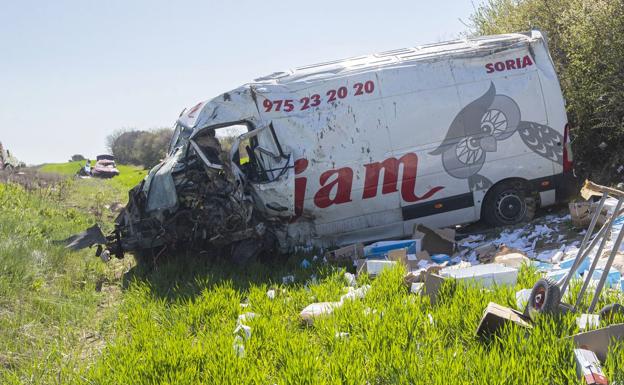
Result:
pixel 587 46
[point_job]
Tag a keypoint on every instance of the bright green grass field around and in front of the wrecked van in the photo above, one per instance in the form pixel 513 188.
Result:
pixel 65 317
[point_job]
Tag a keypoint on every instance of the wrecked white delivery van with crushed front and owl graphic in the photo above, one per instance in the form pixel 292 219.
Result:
pixel 360 149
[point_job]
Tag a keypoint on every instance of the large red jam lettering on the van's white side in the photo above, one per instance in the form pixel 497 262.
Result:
pixel 336 184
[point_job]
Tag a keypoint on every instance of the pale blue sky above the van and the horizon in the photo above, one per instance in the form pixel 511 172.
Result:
pixel 72 72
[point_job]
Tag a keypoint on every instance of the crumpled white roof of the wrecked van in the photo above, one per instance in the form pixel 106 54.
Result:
pixel 482 45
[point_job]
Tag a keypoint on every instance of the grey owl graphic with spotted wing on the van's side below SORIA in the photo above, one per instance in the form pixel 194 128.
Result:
pixel 477 129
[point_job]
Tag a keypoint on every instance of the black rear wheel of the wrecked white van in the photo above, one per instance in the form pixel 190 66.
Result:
pixel 509 203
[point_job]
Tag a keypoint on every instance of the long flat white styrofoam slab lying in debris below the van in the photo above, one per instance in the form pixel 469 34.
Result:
pixel 486 275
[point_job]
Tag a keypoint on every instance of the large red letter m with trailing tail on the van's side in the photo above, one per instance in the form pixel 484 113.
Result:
pixel 390 179
